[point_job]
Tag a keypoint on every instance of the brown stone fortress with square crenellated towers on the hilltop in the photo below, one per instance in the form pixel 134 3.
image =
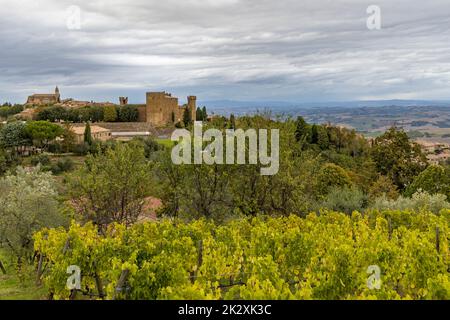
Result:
pixel 163 109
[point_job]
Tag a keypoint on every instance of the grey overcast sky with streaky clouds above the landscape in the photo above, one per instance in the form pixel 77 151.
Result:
pixel 284 50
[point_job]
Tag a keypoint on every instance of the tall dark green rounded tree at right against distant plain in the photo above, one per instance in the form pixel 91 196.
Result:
pixel 397 157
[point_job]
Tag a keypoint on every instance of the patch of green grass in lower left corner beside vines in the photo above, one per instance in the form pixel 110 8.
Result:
pixel 12 288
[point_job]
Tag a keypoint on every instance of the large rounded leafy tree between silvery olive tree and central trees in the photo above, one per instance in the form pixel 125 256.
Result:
pixel 112 186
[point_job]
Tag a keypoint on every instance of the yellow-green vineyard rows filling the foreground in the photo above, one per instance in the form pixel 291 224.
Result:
pixel 322 256
